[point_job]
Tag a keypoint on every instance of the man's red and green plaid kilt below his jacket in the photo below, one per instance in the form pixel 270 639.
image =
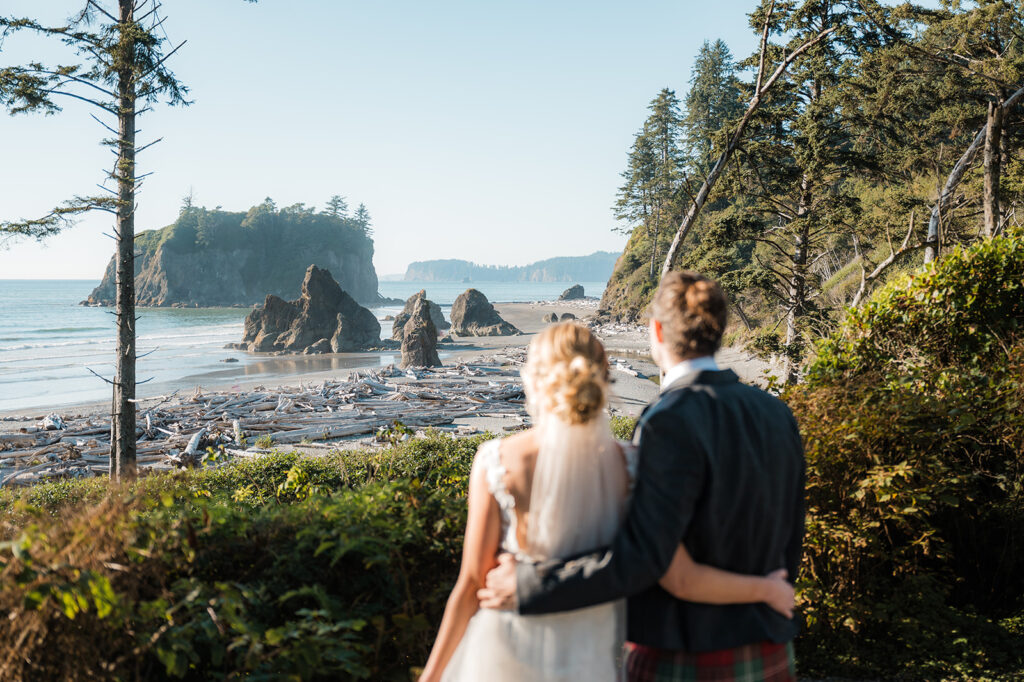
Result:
pixel 764 662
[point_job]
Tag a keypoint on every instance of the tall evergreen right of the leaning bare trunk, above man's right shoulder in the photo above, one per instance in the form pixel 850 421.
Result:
pixel 796 166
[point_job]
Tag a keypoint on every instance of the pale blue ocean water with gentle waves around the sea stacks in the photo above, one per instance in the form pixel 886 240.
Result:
pixel 50 344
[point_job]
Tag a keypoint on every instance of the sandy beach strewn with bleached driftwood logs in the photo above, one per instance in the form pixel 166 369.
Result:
pixel 320 403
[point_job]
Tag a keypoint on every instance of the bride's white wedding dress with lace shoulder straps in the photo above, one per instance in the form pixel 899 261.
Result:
pixel 581 646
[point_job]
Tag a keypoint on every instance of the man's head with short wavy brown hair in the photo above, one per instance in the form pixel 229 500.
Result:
pixel 689 317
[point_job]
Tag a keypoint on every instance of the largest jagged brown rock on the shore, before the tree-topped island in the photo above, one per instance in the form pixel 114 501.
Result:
pixel 324 319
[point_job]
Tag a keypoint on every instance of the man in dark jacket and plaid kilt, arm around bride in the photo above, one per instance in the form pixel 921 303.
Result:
pixel 722 472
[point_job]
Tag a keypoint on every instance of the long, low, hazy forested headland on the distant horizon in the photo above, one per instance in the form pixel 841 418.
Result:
pixel 595 268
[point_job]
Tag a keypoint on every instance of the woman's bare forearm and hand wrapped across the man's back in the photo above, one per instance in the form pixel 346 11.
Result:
pixel 697 582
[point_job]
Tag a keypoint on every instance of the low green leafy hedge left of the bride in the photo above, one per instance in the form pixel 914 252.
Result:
pixel 285 568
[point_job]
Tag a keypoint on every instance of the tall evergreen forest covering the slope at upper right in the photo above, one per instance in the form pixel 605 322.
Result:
pixel 890 141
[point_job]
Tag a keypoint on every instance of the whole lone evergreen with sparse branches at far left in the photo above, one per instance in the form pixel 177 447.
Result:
pixel 121 71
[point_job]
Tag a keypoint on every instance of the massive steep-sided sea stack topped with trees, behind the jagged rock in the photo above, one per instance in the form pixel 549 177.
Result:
pixel 216 259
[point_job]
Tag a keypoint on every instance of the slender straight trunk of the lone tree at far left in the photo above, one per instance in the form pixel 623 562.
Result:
pixel 123 409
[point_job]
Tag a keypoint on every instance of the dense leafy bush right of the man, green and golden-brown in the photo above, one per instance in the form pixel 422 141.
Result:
pixel 914 421
